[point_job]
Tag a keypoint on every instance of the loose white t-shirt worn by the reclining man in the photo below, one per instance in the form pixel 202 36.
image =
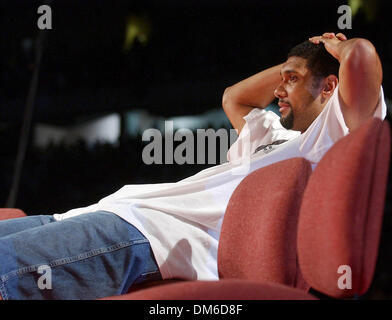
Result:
pixel 182 220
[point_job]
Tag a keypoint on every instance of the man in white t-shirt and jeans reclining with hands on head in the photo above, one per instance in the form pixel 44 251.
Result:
pixel 171 230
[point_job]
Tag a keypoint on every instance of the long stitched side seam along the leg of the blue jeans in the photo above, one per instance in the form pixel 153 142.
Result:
pixel 62 261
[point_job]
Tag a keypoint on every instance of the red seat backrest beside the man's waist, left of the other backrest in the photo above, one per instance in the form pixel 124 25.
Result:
pixel 258 236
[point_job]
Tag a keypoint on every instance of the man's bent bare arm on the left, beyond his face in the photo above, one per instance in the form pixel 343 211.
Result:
pixel 256 91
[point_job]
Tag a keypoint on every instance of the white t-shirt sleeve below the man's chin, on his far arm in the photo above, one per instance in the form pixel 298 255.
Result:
pixel 261 128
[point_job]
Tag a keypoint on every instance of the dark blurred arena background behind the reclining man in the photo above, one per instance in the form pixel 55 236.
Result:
pixel 112 69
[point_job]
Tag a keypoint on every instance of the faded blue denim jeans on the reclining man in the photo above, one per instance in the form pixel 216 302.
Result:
pixel 89 256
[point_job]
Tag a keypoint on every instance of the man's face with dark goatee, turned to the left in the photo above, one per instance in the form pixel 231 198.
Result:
pixel 297 94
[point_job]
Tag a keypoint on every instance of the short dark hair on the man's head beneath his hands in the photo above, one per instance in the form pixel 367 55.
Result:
pixel 319 61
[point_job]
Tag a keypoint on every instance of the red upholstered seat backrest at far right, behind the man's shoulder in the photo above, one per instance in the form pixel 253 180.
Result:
pixel 342 210
